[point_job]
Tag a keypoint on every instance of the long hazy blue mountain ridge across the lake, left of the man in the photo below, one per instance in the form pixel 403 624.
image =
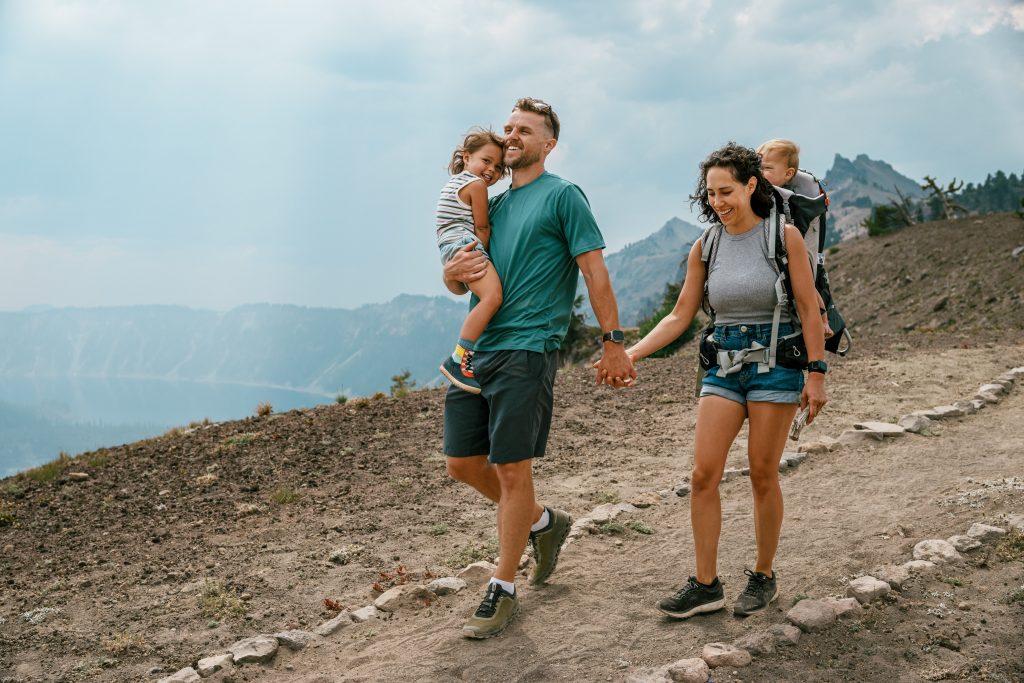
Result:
pixel 322 351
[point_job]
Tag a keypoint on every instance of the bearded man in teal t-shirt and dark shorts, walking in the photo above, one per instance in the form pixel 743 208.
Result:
pixel 543 236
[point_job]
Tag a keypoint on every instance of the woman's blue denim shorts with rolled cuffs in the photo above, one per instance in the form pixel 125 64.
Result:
pixel 780 386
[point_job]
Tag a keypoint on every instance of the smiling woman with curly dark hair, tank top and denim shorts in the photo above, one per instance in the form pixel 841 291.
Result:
pixel 734 192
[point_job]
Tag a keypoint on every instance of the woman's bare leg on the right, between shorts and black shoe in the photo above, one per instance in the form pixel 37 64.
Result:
pixel 770 429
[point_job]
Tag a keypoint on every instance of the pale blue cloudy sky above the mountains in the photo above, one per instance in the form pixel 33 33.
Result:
pixel 212 154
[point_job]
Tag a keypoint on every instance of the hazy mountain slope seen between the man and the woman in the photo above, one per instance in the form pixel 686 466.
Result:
pixel 641 271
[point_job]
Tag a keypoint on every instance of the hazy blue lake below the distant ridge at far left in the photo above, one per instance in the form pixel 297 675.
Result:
pixel 41 417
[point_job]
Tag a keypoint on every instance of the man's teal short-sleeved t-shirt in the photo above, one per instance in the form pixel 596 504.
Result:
pixel 537 233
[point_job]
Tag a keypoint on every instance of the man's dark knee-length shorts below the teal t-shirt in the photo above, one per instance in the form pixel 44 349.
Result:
pixel 510 418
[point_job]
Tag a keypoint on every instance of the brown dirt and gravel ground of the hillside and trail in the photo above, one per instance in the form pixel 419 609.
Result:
pixel 172 549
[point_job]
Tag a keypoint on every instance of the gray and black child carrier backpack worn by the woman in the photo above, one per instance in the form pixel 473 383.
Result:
pixel 805 205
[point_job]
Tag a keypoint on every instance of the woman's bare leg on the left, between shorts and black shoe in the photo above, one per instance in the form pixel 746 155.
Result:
pixel 719 421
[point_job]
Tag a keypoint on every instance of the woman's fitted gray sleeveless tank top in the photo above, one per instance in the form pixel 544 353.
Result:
pixel 741 282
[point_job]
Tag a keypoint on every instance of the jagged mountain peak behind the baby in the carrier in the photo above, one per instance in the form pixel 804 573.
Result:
pixel 855 187
